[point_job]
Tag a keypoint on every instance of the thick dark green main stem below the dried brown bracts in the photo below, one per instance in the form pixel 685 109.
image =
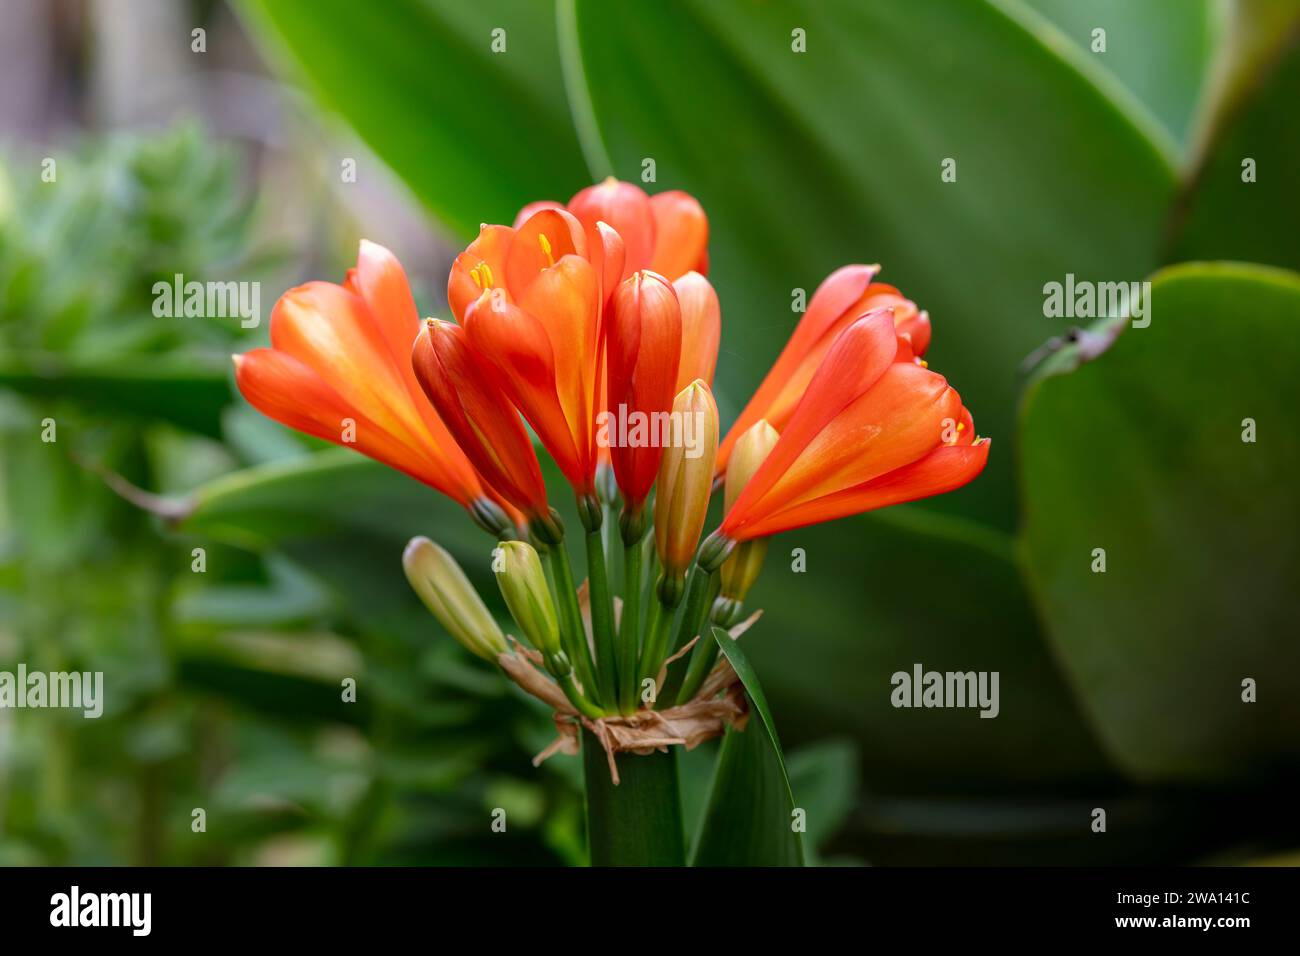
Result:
pixel 639 821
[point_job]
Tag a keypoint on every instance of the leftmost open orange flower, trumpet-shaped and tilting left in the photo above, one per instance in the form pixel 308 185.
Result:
pixel 340 369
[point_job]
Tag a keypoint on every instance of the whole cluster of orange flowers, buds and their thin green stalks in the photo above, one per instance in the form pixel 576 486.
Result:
pixel 570 317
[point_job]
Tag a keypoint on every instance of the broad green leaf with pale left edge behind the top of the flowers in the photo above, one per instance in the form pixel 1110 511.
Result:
pixel 811 161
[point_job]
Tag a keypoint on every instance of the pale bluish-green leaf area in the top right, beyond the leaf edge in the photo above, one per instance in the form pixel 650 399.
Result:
pixel 1158 50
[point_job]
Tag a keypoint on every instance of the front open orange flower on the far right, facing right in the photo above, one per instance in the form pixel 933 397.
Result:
pixel 870 432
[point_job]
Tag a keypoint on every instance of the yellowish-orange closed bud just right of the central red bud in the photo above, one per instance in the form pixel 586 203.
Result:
pixel 686 481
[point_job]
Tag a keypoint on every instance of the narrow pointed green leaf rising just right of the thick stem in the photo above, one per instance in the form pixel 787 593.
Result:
pixel 751 815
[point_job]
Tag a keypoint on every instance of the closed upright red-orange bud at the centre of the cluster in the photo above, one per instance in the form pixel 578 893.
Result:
pixel 644 352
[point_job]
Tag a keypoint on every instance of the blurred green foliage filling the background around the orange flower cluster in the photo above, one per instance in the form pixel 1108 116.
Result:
pixel 224 689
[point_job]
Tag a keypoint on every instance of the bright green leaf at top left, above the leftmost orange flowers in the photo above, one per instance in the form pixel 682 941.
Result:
pixel 476 135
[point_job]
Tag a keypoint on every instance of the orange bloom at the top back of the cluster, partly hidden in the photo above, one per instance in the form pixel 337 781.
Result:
pixel 666 233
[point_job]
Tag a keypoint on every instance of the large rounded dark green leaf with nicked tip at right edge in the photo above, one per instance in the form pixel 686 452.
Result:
pixel 1142 453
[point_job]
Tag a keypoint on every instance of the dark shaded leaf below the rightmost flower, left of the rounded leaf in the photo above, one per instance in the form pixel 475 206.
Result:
pixel 904 587
